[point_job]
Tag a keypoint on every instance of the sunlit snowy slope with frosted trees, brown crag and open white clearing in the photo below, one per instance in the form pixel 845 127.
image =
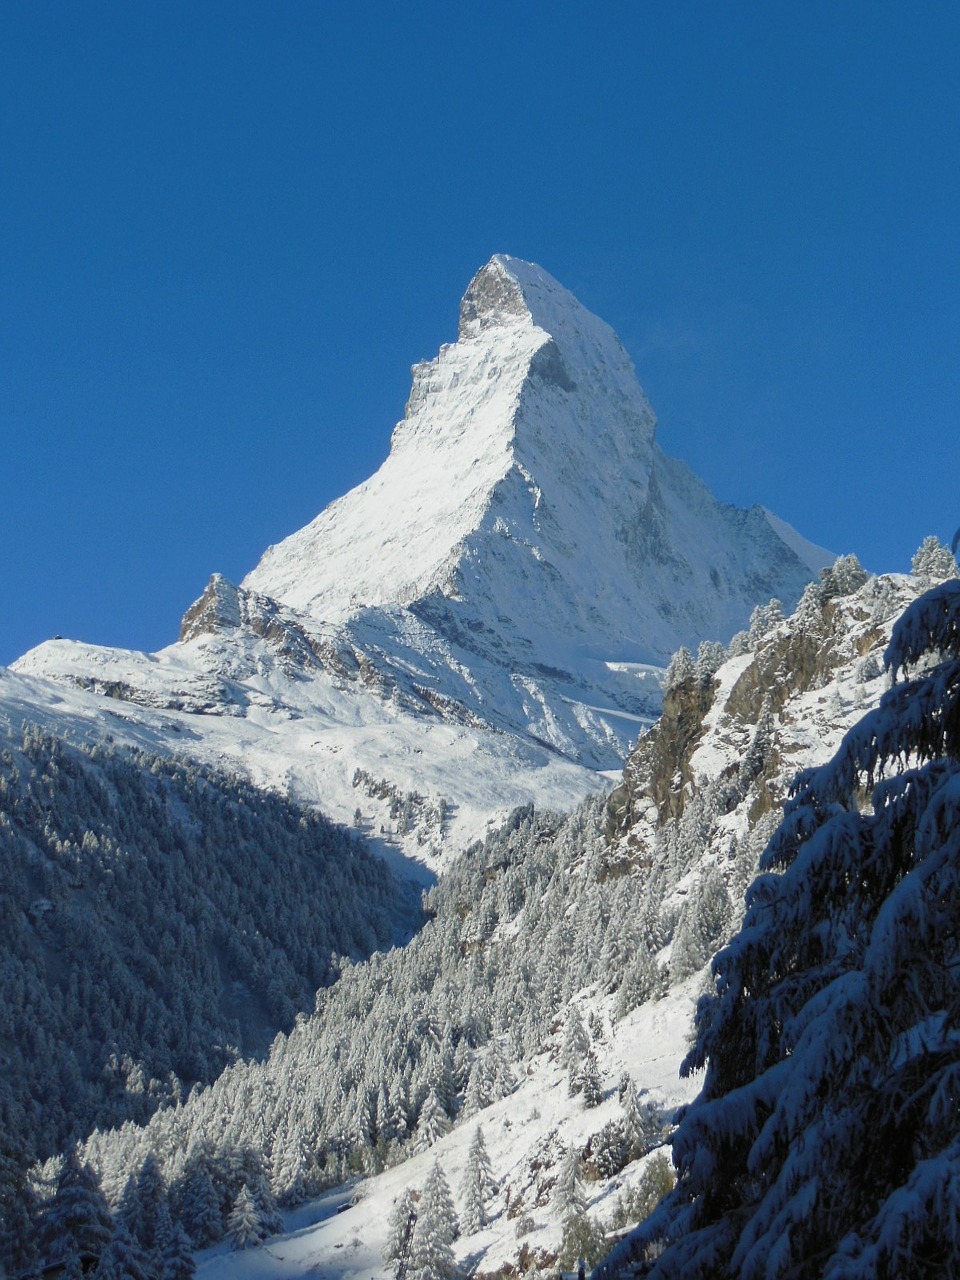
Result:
pixel 551 918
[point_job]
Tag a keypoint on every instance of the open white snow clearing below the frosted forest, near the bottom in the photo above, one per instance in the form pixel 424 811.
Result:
pixel 648 1045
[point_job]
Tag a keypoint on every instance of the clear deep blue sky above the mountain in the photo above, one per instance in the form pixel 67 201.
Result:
pixel 227 230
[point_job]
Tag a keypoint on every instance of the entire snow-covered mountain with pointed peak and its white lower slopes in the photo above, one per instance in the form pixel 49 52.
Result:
pixel 482 624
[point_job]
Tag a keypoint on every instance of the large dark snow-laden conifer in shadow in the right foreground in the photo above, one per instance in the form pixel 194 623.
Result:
pixel 825 1141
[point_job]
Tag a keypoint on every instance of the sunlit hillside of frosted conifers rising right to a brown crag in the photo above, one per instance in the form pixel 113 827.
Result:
pixel 541 941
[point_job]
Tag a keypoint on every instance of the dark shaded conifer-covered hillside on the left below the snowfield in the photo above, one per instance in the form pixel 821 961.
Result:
pixel 158 922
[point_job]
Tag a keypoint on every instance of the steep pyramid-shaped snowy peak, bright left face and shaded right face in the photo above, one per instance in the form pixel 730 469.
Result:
pixel 527 514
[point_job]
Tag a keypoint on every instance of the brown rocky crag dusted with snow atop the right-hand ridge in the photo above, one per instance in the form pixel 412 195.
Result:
pixel 743 732
